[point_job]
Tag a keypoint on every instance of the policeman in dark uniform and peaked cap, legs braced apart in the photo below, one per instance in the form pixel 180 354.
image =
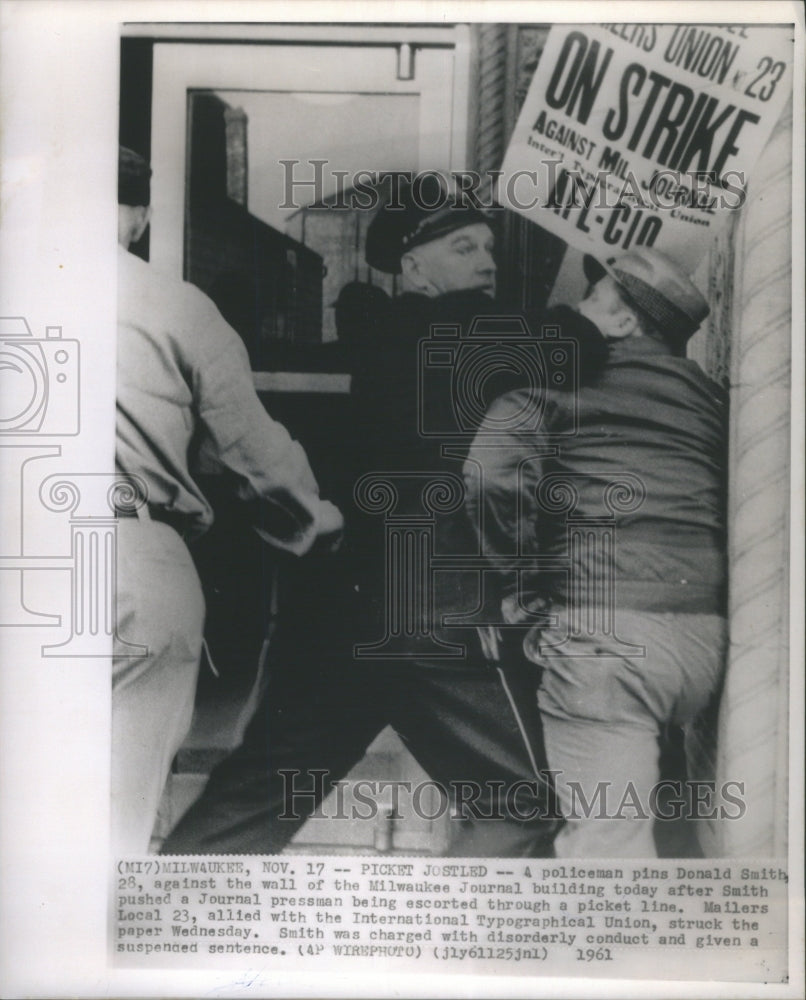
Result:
pixel 462 720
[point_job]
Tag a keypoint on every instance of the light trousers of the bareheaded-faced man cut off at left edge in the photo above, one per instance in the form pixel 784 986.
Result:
pixel 159 605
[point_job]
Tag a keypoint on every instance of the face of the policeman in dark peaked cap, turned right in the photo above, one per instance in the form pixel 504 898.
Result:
pixel 460 261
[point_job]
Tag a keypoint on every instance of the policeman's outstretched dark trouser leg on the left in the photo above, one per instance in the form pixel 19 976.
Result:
pixel 315 721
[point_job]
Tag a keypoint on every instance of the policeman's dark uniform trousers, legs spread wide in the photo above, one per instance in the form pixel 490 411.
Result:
pixel 321 710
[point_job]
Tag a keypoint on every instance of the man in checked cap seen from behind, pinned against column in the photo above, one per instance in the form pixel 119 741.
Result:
pixel 638 637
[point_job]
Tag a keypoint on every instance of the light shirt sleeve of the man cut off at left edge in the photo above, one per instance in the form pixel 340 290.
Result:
pixel 271 470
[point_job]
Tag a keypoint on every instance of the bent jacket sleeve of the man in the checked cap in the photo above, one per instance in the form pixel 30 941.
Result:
pixel 501 473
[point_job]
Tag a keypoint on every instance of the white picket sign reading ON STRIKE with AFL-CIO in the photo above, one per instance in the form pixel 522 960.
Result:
pixel 646 134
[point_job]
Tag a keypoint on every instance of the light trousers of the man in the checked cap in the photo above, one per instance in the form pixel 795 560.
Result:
pixel 603 713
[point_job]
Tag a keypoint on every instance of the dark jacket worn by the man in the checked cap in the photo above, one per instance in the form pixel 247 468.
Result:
pixel 643 448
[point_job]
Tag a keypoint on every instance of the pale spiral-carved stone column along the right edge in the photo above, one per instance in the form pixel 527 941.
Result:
pixel 753 724
